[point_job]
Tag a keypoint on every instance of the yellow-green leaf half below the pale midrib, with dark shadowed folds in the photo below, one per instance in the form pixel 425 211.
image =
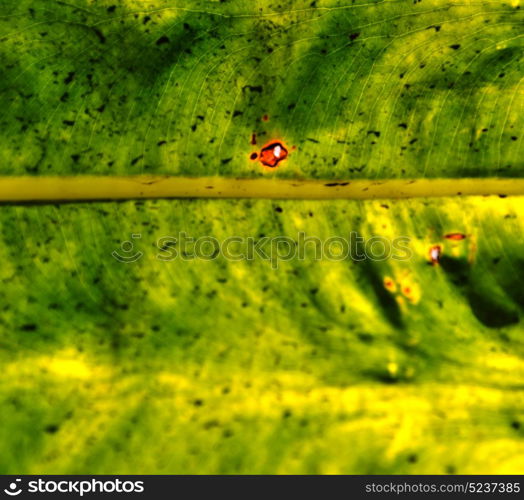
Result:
pixel 190 365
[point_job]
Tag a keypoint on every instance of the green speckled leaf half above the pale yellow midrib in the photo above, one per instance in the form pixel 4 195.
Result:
pixel 362 90
